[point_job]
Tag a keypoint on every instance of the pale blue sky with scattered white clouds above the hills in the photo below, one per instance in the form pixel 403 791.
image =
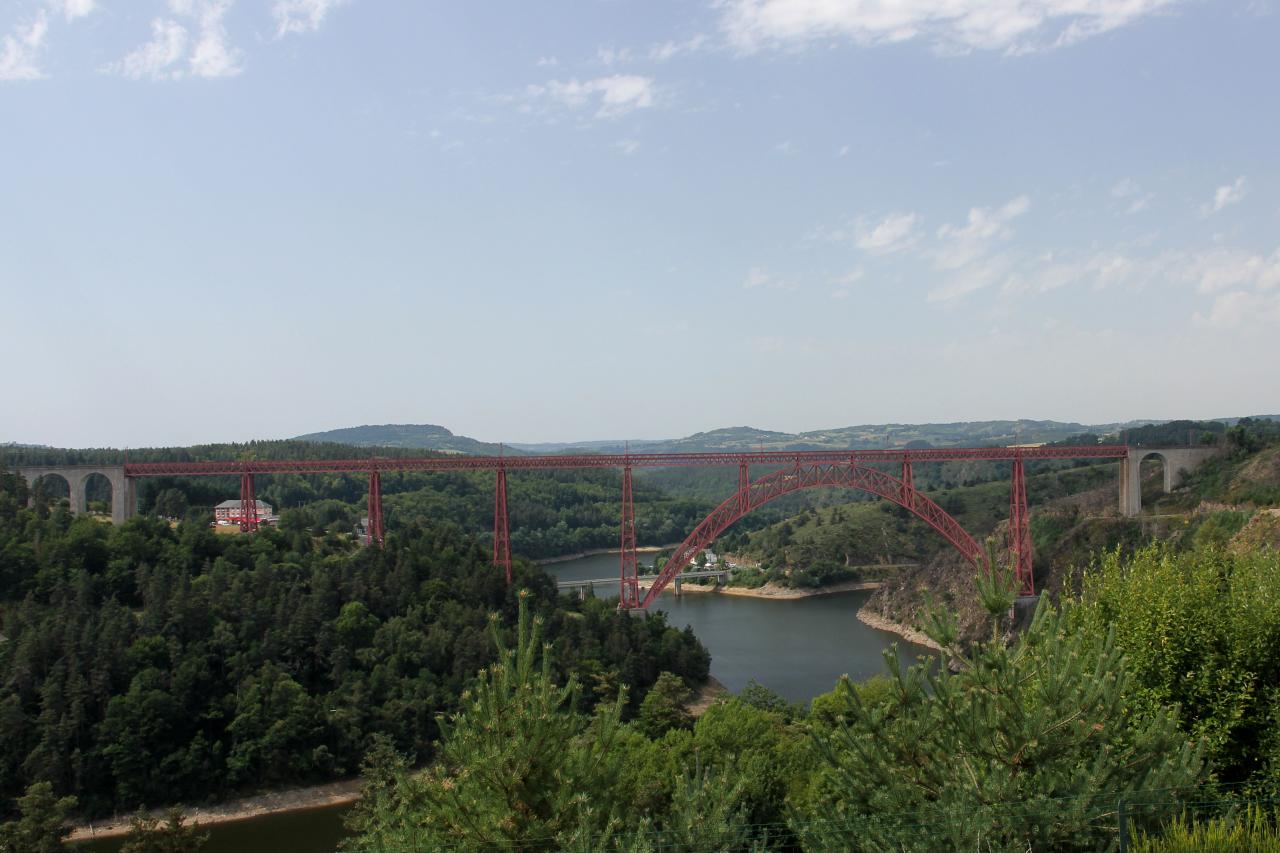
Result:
pixel 236 220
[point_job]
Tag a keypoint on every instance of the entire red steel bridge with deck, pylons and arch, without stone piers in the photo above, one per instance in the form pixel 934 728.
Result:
pixel 794 471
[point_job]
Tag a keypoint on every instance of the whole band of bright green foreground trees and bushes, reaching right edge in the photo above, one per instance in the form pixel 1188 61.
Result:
pixel 1063 738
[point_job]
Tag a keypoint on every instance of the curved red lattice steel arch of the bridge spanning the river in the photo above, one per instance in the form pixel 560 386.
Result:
pixel 770 487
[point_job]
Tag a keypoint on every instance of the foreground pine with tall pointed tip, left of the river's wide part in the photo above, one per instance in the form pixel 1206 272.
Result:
pixel 518 769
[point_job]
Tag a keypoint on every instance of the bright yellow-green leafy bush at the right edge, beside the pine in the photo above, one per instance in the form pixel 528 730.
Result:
pixel 1201 631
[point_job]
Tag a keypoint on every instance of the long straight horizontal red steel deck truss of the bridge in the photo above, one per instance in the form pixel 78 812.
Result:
pixel 618 460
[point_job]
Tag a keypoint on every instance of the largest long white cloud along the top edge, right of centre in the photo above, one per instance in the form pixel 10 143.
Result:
pixel 1013 26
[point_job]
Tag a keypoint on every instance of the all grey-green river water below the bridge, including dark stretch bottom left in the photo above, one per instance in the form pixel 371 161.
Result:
pixel 796 647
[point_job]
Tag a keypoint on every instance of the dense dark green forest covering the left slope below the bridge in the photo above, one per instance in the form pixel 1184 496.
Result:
pixel 150 663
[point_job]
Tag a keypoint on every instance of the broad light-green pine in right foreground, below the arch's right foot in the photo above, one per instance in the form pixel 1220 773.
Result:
pixel 1030 746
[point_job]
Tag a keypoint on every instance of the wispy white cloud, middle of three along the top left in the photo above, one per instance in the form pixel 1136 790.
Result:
pixel 173 54
